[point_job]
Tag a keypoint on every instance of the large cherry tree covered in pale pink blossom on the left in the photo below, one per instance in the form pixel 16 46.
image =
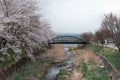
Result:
pixel 21 27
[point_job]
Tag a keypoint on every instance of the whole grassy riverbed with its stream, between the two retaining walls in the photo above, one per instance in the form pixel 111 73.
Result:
pixel 59 63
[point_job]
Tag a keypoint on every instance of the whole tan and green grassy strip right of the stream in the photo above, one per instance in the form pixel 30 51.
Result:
pixel 86 67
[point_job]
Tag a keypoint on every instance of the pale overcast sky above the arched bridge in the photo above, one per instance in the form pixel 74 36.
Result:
pixel 77 16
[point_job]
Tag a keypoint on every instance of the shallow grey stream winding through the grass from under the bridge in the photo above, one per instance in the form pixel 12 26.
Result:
pixel 55 68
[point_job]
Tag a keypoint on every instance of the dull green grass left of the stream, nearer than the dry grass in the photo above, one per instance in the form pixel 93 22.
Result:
pixel 33 70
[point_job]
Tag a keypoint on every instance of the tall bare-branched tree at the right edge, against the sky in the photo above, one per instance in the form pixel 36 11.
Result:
pixel 112 23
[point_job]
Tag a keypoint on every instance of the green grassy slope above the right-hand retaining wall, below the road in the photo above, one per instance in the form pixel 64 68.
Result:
pixel 111 54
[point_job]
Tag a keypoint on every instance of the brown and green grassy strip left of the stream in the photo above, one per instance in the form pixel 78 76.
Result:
pixel 37 70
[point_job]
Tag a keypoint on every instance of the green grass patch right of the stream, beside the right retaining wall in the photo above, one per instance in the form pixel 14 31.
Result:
pixel 92 72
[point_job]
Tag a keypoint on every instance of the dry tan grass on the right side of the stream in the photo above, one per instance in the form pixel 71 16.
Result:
pixel 82 54
